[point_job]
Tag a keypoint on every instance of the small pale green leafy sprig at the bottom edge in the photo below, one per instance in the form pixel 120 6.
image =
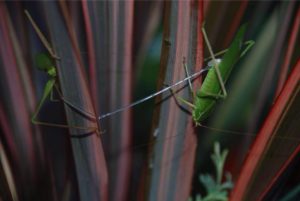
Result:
pixel 216 190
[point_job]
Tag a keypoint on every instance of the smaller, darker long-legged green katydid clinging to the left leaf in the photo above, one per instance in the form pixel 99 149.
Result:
pixel 46 63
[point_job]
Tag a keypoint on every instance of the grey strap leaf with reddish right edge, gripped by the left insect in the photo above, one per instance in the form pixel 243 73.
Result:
pixel 90 165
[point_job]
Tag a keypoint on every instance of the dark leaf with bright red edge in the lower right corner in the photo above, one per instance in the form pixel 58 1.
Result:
pixel 283 120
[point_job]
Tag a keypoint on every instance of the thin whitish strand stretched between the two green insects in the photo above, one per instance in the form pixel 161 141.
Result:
pixel 193 76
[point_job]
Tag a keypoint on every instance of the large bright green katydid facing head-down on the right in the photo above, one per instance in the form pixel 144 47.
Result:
pixel 213 85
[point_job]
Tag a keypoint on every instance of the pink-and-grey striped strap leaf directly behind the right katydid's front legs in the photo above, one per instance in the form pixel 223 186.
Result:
pixel 172 160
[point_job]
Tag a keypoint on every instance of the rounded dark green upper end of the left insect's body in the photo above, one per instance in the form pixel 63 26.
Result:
pixel 45 63
